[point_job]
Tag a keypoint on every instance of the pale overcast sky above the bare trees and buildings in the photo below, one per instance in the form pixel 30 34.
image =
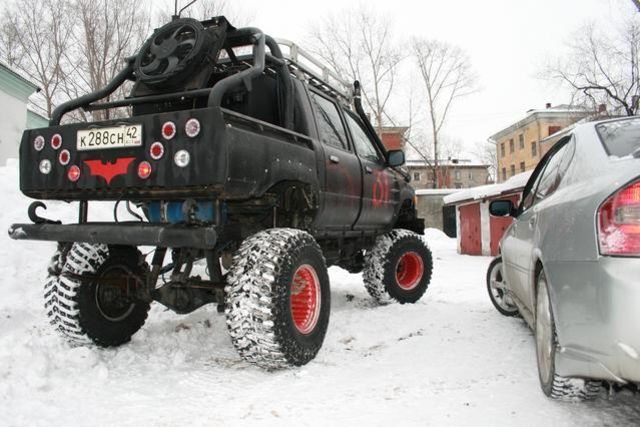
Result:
pixel 507 40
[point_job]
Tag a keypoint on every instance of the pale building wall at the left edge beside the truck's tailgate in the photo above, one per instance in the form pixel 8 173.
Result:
pixel 13 120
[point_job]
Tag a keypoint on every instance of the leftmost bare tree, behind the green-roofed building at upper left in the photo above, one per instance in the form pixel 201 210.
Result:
pixel 33 40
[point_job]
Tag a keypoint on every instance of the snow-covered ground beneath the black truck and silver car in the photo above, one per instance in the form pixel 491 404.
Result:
pixel 450 359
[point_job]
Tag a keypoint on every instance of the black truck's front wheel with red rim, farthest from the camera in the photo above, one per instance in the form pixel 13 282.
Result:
pixel 383 276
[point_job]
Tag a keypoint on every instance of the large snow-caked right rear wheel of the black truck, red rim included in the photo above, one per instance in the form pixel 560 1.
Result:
pixel 260 298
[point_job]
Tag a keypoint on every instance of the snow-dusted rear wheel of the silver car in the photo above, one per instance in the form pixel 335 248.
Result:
pixel 553 385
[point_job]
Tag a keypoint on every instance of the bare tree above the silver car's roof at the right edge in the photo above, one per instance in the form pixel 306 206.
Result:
pixel 603 68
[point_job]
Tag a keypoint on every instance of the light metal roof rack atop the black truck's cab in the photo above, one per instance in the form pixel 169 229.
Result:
pixel 318 74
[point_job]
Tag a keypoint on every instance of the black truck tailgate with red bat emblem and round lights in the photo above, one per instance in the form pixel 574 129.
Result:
pixel 105 160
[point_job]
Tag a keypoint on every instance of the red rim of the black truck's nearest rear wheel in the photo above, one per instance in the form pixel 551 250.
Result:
pixel 305 299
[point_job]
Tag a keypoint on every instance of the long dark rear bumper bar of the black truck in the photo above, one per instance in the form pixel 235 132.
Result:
pixel 124 233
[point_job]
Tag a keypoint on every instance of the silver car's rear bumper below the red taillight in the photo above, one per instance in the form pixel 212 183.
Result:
pixel 597 318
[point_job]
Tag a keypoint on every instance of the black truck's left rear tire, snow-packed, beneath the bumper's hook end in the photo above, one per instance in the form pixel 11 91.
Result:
pixel 74 308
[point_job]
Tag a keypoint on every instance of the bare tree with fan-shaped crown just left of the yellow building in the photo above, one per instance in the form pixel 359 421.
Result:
pixel 447 76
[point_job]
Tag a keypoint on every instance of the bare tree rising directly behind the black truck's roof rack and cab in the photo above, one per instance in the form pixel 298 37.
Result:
pixel 358 43
